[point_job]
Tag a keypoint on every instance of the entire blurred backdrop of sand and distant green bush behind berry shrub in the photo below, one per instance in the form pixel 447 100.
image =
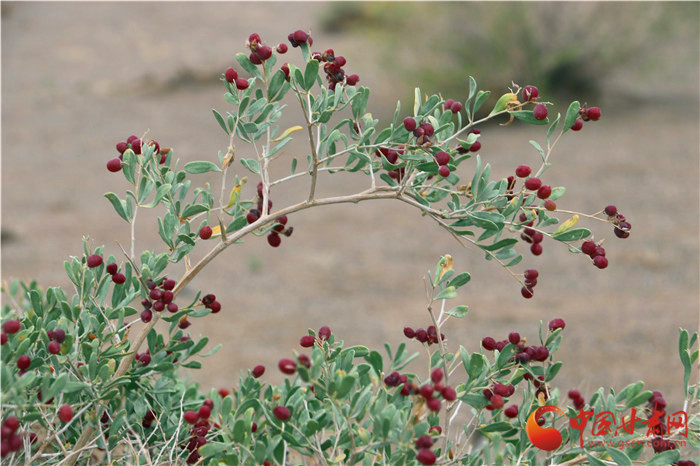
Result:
pixel 78 78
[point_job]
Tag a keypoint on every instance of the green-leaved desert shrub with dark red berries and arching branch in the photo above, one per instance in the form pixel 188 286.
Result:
pixel 87 377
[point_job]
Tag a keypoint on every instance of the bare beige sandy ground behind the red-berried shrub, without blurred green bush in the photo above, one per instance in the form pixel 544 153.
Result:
pixel 77 78
